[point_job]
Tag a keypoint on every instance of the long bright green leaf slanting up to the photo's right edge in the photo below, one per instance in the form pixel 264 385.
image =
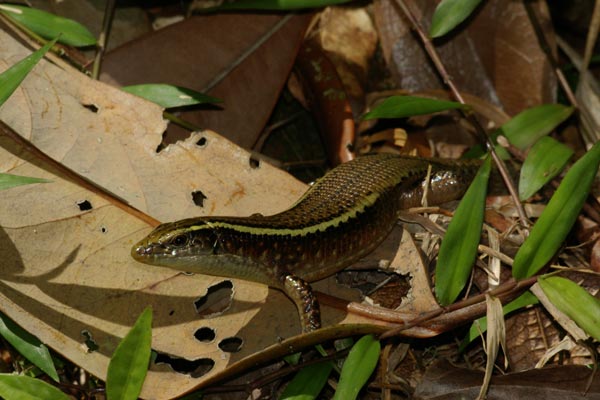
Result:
pixel 558 217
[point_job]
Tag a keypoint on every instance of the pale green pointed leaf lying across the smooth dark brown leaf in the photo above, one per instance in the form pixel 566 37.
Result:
pixel 169 96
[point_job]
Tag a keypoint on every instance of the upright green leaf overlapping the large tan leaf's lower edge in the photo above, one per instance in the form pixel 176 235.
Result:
pixel 129 364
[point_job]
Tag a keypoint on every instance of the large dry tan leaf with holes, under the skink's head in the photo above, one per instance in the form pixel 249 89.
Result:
pixel 67 275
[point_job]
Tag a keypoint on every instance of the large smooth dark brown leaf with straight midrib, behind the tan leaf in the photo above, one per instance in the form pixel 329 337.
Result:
pixel 201 53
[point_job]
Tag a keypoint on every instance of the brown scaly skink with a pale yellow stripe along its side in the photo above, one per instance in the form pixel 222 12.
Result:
pixel 340 219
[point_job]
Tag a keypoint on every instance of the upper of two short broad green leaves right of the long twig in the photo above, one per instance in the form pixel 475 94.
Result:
pixel 528 126
